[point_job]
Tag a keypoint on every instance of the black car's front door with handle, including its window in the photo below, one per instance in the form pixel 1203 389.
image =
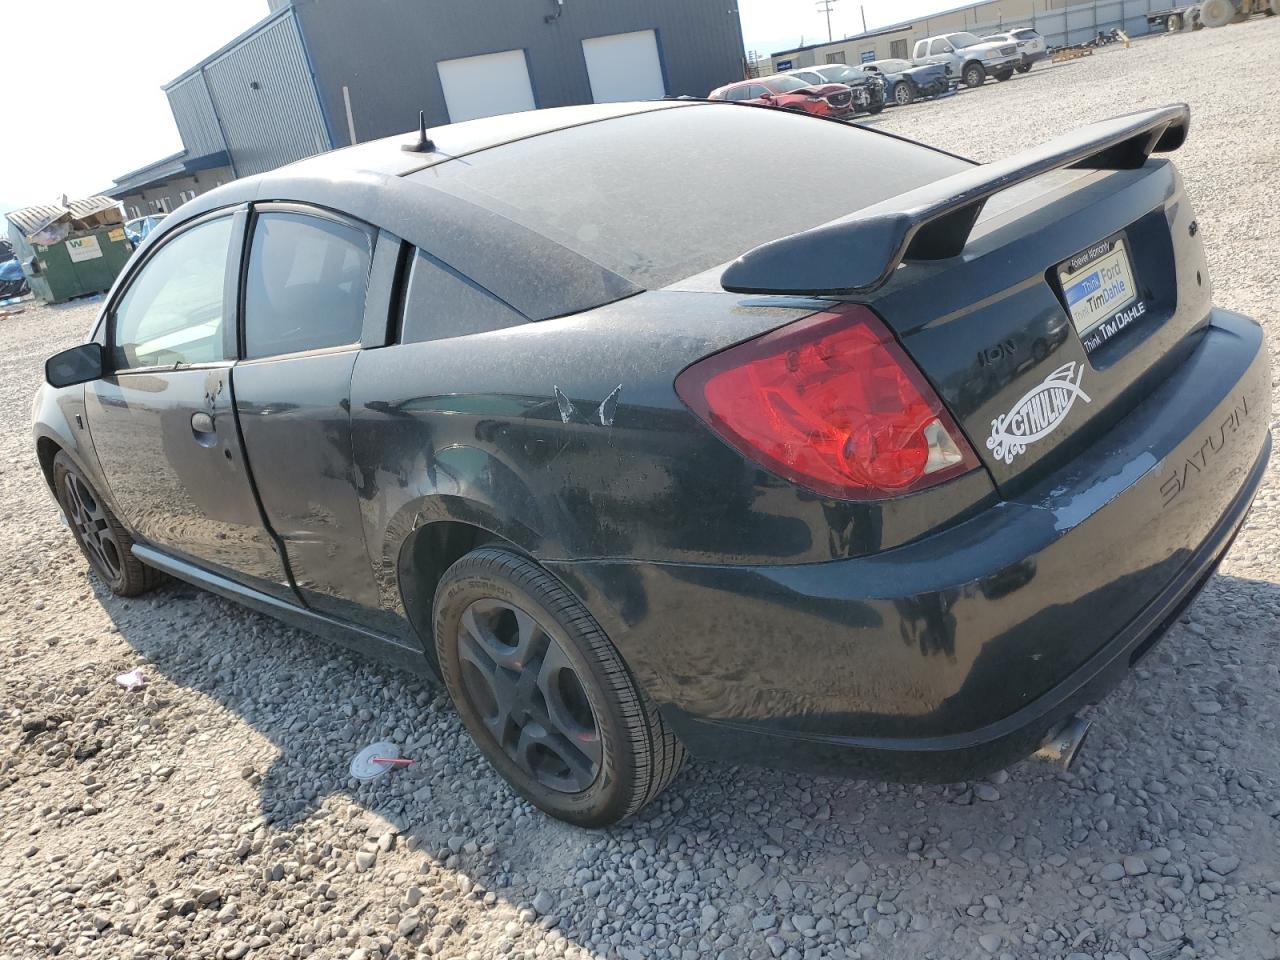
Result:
pixel 163 420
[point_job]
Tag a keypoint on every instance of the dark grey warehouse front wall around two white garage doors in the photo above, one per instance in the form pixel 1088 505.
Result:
pixel 385 52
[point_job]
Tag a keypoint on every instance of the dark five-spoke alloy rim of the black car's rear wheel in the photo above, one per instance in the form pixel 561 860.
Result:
pixel 529 696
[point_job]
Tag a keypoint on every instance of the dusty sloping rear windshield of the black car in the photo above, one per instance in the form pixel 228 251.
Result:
pixel 661 196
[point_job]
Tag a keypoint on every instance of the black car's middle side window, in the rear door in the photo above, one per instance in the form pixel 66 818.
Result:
pixel 307 285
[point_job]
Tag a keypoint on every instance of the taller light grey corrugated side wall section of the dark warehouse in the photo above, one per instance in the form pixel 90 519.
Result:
pixel 266 99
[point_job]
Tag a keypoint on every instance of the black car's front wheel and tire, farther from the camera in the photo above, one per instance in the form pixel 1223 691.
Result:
pixel 103 540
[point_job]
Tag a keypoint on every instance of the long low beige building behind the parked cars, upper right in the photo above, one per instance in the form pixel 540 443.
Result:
pixel 1062 22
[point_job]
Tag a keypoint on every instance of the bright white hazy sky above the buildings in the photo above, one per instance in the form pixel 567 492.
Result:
pixel 75 129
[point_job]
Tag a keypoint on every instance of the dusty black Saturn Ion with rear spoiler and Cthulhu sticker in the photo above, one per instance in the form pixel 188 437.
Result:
pixel 888 469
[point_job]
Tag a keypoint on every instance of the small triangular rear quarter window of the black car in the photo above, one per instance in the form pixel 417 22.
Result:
pixel 441 303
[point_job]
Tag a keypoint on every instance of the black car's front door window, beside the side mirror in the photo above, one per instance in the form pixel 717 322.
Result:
pixel 172 312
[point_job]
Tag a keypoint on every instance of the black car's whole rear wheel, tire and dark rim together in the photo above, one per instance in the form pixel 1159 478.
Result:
pixel 546 696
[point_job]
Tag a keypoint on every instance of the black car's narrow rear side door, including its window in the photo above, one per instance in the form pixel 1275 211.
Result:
pixel 308 290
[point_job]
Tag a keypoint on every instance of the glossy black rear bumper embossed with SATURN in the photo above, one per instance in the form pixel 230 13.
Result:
pixel 957 653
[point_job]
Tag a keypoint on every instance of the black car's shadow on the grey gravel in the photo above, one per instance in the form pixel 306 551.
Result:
pixel 458 822
